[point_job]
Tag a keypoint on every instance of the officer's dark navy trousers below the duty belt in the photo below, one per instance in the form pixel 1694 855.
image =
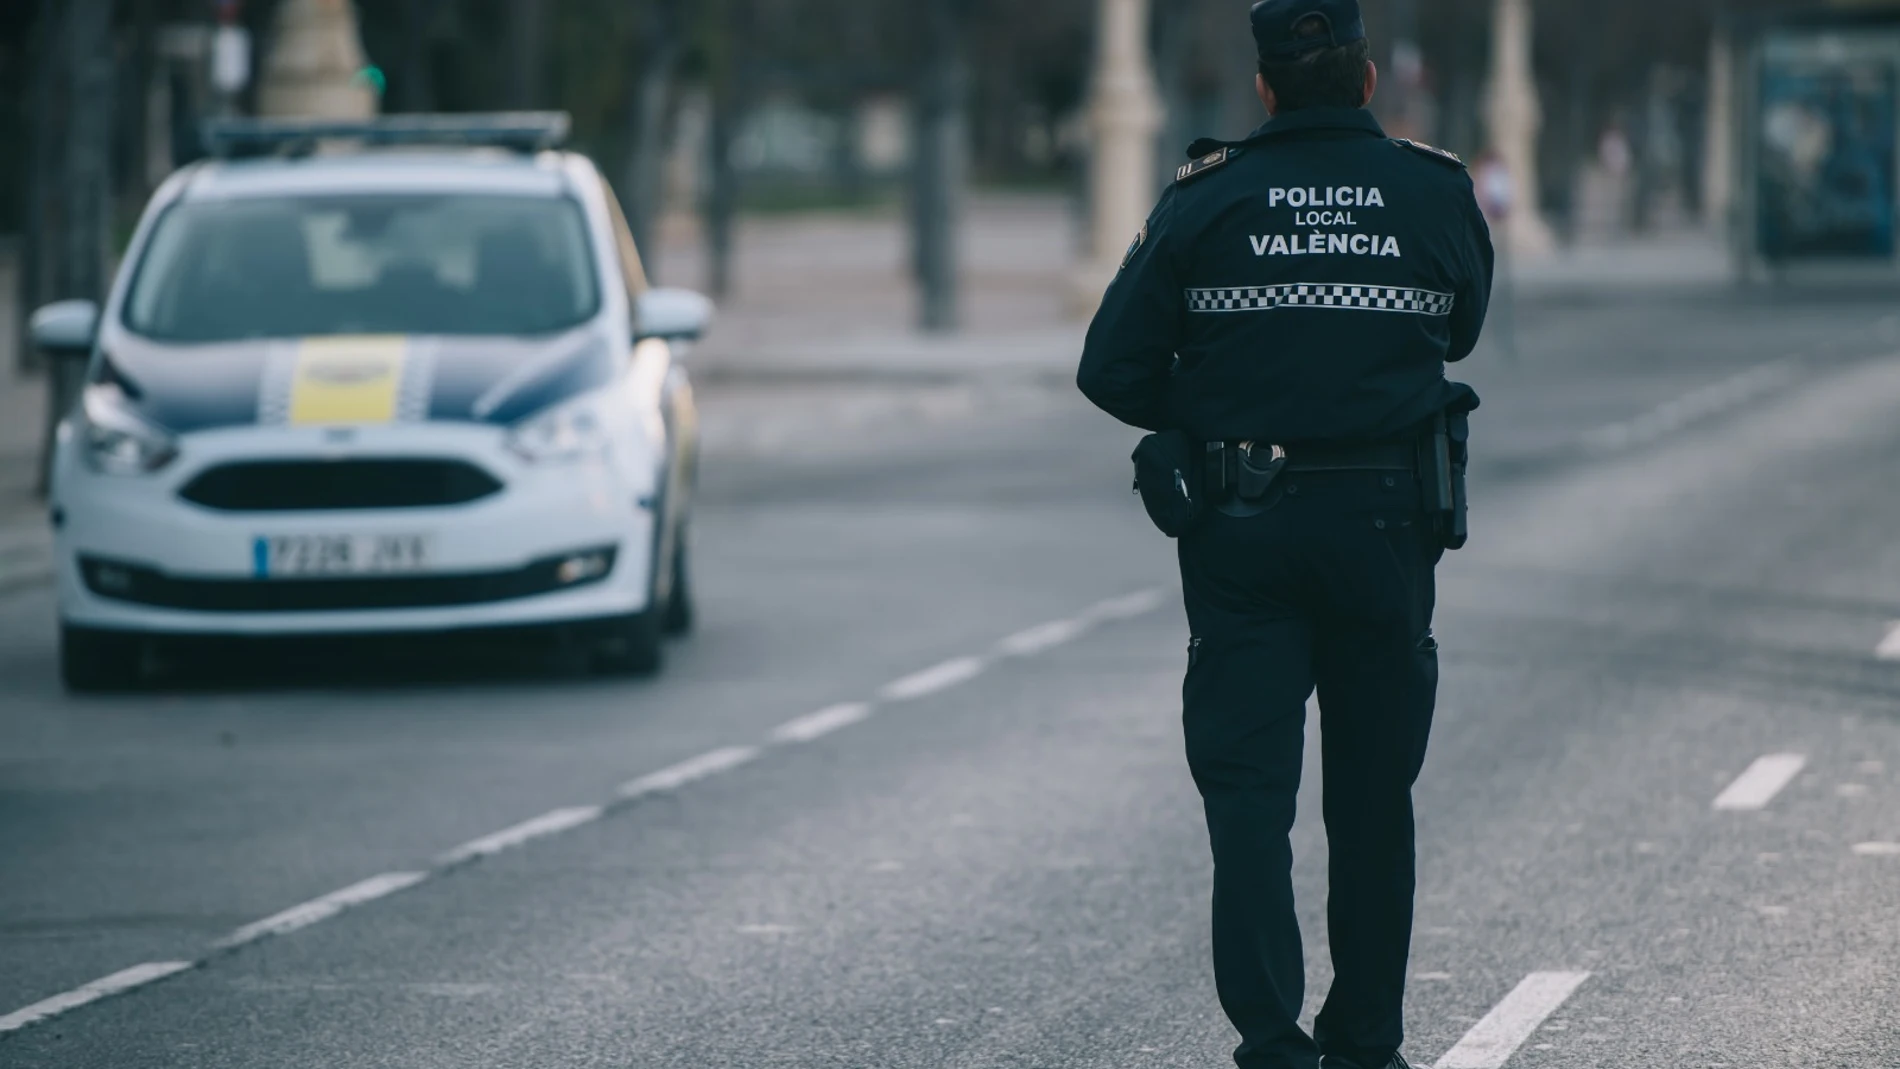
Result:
pixel 1331 590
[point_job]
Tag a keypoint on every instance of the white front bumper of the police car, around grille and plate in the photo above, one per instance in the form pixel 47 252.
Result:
pixel 556 544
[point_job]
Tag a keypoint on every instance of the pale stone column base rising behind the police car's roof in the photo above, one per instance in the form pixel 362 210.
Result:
pixel 314 66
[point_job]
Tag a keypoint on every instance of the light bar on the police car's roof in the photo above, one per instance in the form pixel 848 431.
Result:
pixel 518 132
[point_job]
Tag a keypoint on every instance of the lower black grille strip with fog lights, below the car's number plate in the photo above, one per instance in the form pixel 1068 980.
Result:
pixel 153 588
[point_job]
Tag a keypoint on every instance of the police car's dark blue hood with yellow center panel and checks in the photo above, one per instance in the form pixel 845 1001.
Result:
pixel 356 379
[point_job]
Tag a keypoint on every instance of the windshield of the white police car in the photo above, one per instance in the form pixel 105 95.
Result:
pixel 364 265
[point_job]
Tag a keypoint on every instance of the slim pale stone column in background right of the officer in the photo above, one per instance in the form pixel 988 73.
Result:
pixel 1515 117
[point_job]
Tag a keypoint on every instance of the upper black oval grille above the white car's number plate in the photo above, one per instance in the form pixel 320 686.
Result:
pixel 320 485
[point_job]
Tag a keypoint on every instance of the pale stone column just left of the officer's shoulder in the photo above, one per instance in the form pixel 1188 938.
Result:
pixel 1124 119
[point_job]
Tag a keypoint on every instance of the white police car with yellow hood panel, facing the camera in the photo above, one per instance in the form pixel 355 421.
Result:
pixel 387 377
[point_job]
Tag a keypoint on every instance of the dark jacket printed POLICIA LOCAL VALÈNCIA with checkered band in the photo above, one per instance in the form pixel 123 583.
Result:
pixel 1304 286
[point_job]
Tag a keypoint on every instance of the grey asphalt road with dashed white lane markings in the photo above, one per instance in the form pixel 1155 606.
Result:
pixel 1686 559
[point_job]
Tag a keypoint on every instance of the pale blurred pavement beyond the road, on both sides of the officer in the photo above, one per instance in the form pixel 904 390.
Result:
pixel 829 297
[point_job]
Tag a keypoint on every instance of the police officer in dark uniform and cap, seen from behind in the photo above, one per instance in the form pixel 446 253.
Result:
pixel 1291 309
